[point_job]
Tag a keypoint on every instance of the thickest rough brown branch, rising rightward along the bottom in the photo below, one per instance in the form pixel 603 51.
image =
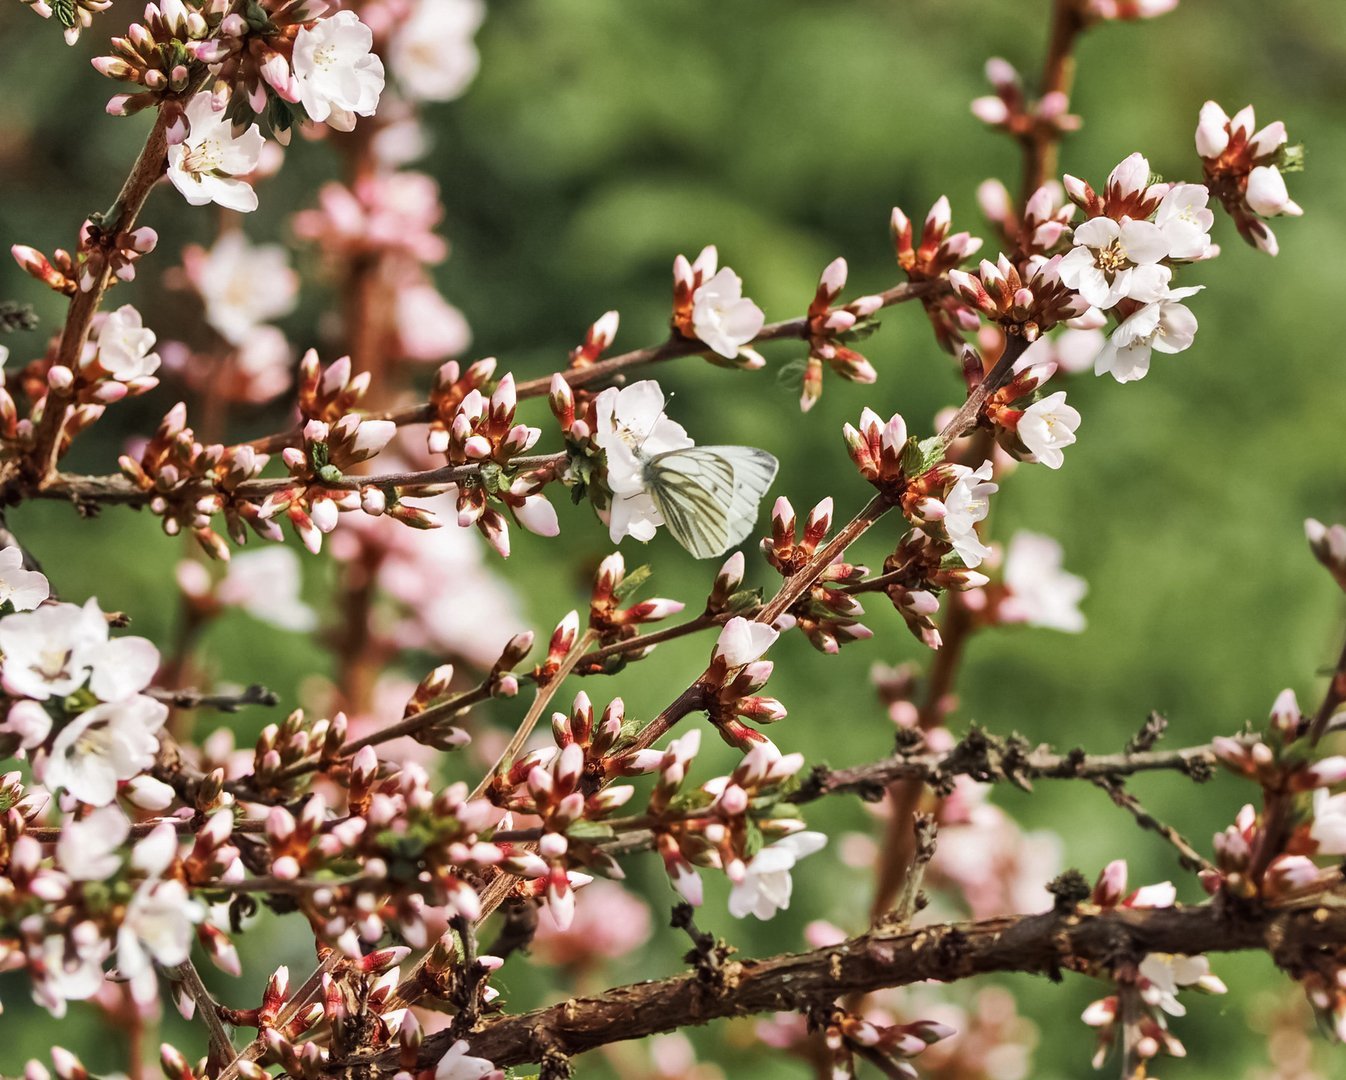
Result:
pixel 1037 945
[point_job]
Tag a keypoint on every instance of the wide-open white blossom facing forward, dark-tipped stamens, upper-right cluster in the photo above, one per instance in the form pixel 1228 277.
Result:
pixel 1117 261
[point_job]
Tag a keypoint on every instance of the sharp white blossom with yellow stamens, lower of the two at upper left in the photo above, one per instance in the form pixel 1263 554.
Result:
pixel 207 166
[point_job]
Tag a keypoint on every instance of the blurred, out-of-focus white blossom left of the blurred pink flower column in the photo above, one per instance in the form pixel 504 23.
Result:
pixel 243 285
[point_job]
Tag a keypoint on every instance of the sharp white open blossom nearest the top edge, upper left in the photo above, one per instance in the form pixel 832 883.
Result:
pixel 339 76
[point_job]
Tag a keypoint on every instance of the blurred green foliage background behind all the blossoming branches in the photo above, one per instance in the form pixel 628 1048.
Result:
pixel 601 139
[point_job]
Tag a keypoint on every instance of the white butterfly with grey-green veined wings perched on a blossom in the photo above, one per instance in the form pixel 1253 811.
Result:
pixel 709 495
